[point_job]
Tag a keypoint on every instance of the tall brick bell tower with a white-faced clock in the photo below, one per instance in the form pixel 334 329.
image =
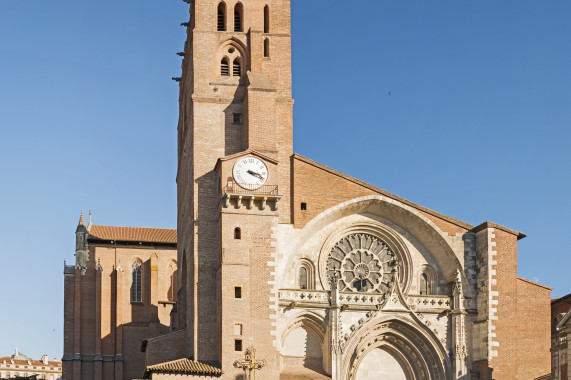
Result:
pixel 234 172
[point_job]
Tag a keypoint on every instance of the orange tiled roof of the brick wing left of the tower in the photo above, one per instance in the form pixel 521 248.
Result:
pixel 135 234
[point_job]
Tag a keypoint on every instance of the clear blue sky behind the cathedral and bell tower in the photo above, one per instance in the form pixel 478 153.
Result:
pixel 477 125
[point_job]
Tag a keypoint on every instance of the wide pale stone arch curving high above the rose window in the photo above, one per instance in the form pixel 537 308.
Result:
pixel 406 217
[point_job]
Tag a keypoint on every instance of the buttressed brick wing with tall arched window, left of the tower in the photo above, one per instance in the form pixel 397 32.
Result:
pixel 103 327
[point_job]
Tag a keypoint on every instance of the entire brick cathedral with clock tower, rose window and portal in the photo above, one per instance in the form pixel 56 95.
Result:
pixel 288 269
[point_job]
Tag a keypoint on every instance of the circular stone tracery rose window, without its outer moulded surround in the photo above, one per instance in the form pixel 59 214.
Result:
pixel 363 263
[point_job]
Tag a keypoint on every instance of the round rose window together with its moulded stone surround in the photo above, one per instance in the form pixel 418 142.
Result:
pixel 366 258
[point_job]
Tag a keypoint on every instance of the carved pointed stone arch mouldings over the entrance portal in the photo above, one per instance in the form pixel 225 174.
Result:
pixel 409 342
